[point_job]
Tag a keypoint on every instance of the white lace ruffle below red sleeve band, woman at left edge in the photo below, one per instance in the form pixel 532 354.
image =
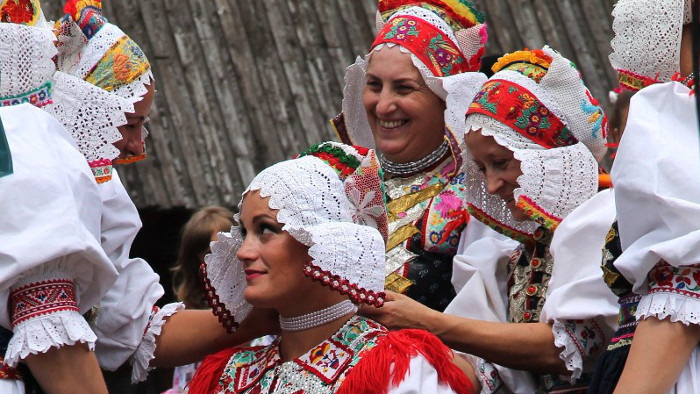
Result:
pixel 41 333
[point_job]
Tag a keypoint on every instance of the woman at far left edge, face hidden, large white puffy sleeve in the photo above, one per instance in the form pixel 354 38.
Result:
pixel 53 267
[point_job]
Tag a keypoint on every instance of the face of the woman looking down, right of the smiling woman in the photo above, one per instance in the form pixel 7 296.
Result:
pixel 499 167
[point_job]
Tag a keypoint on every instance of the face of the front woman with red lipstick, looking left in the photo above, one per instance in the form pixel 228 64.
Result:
pixel 272 259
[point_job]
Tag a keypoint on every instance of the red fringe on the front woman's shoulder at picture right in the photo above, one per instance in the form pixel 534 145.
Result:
pixel 373 374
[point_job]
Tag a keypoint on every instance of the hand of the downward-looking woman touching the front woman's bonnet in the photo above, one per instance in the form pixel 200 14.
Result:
pixel 398 312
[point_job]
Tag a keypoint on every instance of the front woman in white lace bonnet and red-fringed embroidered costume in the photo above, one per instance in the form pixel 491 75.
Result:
pixel 310 245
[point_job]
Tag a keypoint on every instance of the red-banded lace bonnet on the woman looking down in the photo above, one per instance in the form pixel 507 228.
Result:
pixel 537 106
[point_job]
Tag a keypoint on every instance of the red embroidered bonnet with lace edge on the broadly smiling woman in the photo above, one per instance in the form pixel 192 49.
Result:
pixel 461 30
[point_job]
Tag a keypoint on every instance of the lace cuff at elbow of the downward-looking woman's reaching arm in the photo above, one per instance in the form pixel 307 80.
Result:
pixel 579 340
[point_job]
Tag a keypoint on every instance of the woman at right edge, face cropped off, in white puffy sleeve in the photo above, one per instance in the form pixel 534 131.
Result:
pixel 654 249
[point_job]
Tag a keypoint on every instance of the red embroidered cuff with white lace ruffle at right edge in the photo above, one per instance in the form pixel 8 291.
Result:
pixel 673 292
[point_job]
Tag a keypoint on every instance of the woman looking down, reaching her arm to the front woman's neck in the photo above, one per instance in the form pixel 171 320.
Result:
pixel 533 133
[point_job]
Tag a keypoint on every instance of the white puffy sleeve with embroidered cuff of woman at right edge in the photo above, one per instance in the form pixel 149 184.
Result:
pixel 659 207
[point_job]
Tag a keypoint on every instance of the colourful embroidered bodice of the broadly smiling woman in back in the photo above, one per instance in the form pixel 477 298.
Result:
pixel 426 220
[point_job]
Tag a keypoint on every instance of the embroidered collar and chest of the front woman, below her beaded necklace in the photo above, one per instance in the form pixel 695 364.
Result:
pixel 321 370
